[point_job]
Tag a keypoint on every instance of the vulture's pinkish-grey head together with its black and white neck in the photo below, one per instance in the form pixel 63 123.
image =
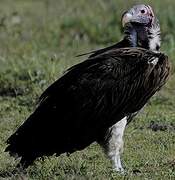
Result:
pixel 142 27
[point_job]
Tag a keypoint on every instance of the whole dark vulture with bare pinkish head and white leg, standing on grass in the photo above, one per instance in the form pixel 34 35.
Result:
pixel 95 98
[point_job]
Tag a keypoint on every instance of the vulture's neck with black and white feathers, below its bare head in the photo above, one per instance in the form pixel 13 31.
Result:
pixel 142 36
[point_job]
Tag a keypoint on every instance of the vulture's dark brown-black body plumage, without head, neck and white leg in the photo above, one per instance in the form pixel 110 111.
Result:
pixel 92 96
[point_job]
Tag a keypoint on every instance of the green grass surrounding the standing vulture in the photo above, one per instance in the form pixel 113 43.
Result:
pixel 38 42
